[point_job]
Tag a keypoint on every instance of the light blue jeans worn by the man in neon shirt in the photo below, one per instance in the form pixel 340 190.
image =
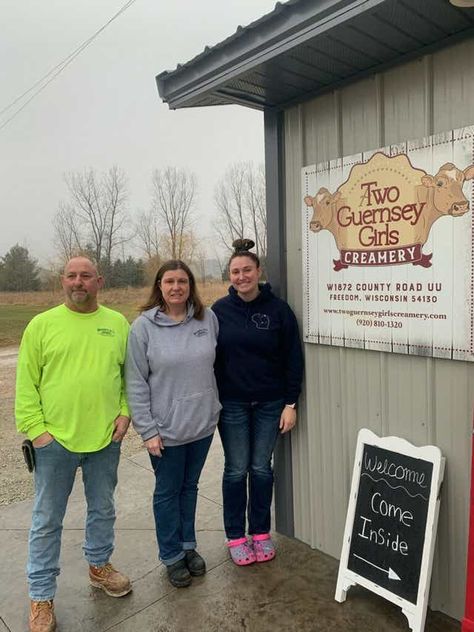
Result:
pixel 55 472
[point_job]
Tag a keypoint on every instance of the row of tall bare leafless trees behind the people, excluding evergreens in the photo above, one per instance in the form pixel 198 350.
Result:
pixel 96 217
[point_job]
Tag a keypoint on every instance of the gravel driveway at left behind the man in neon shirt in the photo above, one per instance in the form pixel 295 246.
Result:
pixel 16 483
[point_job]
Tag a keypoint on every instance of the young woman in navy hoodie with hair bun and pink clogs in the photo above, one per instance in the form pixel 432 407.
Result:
pixel 259 369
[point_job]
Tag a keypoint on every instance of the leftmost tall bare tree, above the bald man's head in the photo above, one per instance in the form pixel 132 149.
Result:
pixel 95 216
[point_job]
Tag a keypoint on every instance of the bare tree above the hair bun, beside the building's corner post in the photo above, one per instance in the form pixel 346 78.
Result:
pixel 240 200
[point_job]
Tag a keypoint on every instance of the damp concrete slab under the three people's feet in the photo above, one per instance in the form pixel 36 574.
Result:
pixel 294 592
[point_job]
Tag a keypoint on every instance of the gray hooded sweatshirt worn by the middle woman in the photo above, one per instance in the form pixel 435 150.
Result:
pixel 169 374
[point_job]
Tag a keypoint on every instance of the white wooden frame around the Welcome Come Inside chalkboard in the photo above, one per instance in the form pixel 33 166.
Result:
pixel 415 613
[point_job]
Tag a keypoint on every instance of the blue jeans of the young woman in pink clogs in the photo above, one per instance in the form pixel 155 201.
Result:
pixel 249 431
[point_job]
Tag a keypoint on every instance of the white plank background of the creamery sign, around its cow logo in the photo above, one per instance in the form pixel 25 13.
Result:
pixel 401 308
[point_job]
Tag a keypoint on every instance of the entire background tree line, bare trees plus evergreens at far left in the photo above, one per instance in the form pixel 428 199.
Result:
pixel 95 220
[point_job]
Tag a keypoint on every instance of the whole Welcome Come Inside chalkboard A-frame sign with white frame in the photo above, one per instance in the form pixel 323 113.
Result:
pixel 391 522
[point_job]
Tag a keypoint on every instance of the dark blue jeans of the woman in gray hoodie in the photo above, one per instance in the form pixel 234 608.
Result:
pixel 177 474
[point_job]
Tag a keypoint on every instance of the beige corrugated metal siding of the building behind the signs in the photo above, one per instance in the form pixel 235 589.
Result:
pixel 421 399
